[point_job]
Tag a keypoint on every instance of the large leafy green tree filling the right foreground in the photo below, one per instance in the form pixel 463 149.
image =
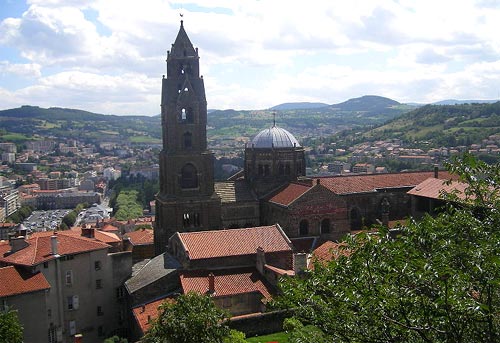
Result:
pixel 438 281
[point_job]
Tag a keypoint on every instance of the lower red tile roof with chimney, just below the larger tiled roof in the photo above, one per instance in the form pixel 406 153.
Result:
pixel 227 282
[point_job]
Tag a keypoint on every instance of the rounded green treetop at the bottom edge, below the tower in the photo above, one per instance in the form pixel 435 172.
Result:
pixel 191 318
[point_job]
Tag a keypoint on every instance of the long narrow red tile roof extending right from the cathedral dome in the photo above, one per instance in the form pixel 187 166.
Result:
pixel 372 182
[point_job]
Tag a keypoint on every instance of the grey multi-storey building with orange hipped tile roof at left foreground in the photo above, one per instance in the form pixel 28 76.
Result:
pixel 85 279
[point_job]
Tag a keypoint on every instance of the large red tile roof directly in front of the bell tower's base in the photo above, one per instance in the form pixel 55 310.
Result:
pixel 234 242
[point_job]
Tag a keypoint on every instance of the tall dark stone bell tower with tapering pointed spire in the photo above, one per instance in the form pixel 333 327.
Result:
pixel 186 200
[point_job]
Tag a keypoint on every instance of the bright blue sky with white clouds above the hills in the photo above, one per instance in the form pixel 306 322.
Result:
pixel 108 56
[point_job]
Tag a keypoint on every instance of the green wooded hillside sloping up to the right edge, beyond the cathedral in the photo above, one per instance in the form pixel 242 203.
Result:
pixel 442 125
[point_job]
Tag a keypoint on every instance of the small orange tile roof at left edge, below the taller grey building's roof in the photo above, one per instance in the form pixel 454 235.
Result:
pixel 13 283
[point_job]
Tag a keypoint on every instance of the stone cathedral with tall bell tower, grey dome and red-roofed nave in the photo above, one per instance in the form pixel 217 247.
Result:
pixel 272 188
